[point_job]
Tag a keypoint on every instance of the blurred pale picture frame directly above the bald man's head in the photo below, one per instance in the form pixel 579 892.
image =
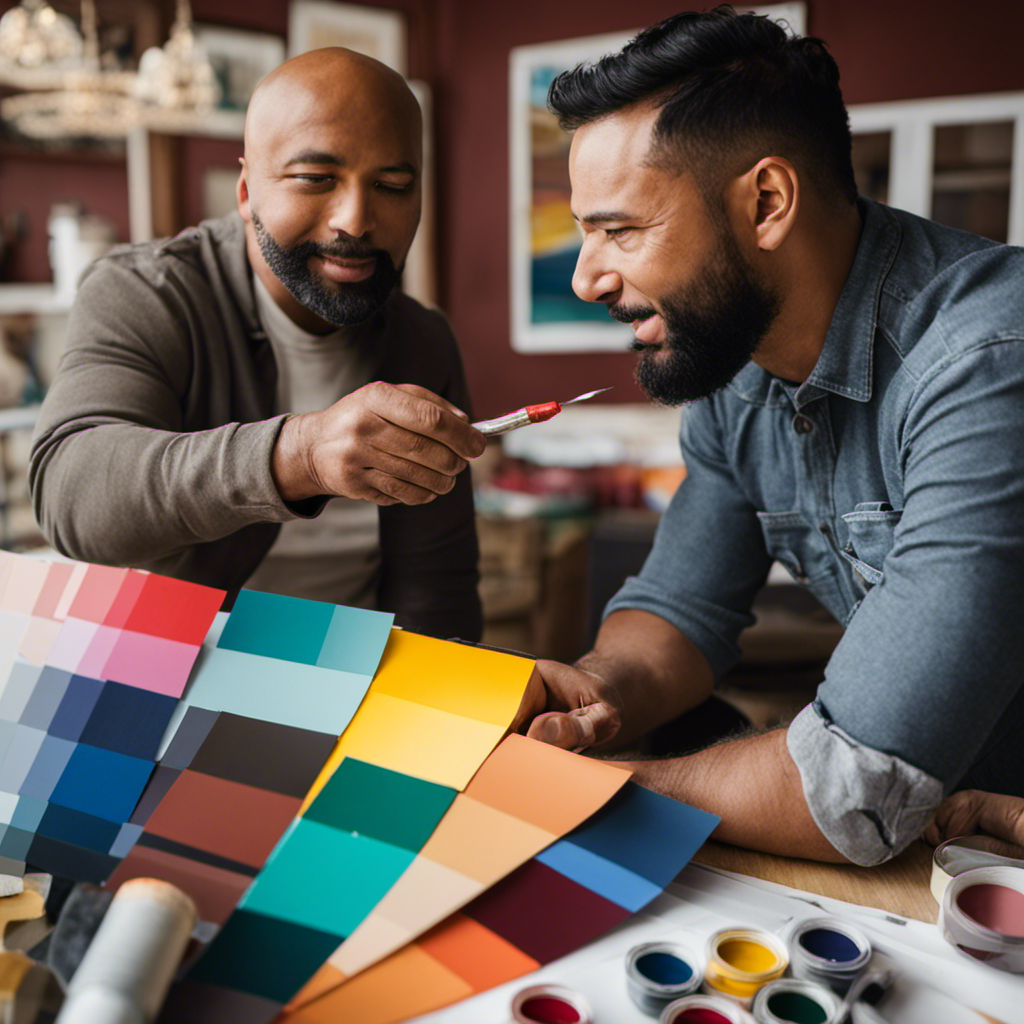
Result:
pixel 374 31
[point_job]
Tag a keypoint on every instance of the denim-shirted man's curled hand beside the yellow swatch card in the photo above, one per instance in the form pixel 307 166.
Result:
pixel 582 709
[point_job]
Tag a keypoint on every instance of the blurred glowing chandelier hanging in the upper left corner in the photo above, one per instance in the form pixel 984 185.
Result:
pixel 71 95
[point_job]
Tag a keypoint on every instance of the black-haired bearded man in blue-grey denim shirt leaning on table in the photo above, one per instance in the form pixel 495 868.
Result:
pixel 856 380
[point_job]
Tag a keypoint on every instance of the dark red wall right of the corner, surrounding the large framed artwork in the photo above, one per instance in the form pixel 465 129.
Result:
pixel 886 50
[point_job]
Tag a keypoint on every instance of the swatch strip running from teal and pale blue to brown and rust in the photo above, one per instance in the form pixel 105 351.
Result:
pixel 273 689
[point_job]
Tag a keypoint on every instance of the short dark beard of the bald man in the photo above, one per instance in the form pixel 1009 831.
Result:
pixel 342 305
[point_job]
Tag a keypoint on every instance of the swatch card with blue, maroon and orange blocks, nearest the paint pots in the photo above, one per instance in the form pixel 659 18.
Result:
pixel 607 870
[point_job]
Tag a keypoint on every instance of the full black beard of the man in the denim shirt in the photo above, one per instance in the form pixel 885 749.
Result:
pixel 713 328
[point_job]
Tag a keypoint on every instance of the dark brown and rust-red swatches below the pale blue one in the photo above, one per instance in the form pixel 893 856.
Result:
pixel 223 796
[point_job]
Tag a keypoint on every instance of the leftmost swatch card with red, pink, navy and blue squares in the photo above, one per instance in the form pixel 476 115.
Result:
pixel 102 657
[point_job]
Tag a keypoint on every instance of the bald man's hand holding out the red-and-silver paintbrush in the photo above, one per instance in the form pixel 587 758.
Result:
pixel 387 444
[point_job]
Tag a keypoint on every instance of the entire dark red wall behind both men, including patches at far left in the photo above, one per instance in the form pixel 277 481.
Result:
pixel 887 50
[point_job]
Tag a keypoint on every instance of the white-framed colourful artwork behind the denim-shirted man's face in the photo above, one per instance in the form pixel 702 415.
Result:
pixel 544 240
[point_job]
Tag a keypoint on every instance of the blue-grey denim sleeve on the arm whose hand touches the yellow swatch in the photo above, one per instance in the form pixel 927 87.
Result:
pixel 709 558
